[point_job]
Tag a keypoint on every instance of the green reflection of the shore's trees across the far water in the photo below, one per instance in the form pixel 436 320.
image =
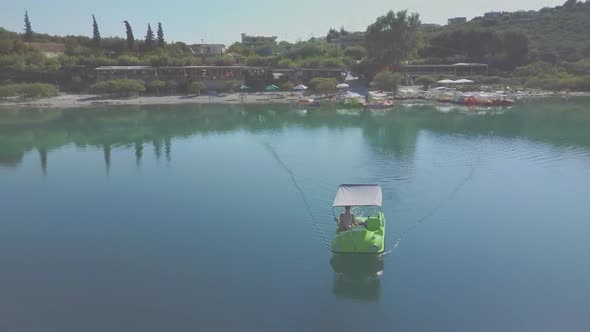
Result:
pixel 393 133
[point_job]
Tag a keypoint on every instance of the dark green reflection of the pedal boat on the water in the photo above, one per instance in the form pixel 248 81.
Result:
pixel 357 277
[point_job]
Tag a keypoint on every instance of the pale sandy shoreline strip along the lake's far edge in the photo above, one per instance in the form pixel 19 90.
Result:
pixel 262 98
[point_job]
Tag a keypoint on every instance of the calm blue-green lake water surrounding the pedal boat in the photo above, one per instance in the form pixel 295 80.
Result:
pixel 213 218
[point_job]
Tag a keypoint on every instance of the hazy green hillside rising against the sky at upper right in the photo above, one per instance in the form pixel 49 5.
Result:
pixel 564 30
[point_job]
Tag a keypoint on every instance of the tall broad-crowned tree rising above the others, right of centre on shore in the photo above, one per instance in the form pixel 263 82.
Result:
pixel 393 37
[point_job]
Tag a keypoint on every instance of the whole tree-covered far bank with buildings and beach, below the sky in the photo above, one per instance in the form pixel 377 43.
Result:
pixel 519 54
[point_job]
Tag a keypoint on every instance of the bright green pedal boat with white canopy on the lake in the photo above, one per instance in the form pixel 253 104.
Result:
pixel 368 236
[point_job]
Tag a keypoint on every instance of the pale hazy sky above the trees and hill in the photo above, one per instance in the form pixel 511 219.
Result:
pixel 222 21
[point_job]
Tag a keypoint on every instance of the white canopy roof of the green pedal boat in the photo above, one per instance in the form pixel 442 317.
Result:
pixel 358 195
